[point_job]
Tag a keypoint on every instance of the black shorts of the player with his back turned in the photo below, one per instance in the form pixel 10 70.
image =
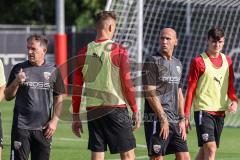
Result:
pixel 112 127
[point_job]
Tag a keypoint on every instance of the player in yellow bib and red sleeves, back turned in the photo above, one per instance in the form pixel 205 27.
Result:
pixel 103 69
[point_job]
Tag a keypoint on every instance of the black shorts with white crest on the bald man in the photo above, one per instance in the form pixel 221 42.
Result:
pixel 159 147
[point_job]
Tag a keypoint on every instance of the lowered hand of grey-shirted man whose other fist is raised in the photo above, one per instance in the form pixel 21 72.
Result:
pixel 50 128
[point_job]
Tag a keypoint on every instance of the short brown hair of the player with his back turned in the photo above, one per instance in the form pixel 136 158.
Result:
pixel 103 16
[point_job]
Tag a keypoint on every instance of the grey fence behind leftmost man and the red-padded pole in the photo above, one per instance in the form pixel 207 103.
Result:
pixel 13 43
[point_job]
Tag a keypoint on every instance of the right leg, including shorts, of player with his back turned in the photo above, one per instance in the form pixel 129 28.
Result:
pixel 119 134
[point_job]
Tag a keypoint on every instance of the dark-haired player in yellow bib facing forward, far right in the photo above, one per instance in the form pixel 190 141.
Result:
pixel 211 92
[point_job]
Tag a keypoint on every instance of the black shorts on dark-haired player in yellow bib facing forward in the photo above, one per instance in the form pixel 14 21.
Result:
pixel 209 127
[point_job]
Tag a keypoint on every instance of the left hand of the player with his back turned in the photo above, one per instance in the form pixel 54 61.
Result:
pixel 77 125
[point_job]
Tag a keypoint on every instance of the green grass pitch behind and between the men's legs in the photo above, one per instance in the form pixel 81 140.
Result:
pixel 66 146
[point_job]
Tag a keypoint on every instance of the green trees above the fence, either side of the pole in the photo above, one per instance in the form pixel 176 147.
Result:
pixel 42 12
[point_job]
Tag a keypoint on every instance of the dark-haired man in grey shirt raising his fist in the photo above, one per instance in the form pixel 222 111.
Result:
pixel 37 87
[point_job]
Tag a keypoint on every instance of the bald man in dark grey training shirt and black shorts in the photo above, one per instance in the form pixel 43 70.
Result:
pixel 164 117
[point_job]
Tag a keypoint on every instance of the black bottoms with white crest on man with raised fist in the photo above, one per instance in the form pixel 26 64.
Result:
pixel 25 141
